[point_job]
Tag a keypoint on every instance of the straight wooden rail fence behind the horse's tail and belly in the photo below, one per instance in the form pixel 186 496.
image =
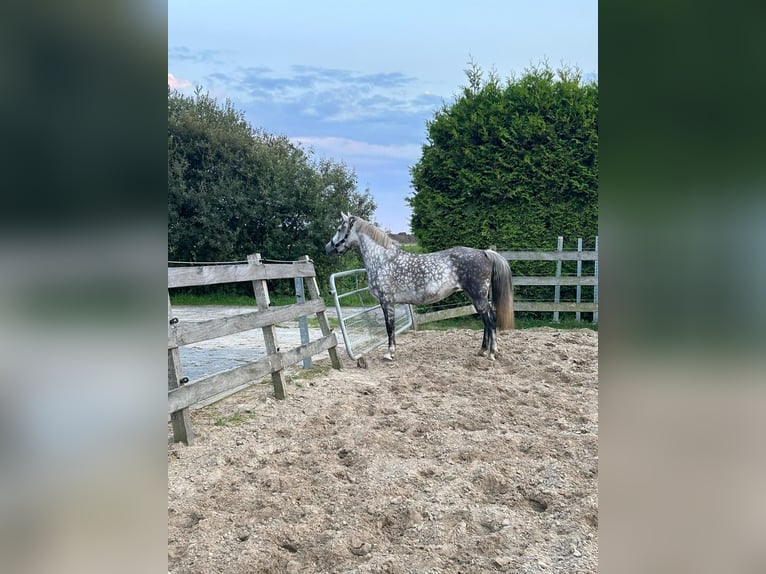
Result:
pixel 556 306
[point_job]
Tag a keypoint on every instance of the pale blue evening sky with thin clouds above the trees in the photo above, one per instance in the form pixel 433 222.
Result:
pixel 356 81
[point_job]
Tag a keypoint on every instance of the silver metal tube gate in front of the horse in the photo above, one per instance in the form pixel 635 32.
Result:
pixel 360 315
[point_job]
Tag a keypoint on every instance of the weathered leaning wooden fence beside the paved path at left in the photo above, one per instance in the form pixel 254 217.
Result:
pixel 183 393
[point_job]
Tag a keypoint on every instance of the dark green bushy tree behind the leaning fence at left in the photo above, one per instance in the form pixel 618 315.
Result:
pixel 235 190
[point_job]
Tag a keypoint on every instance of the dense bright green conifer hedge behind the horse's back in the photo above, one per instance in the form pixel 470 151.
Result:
pixel 513 165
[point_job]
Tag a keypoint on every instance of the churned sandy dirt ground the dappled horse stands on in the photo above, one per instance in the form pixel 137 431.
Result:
pixel 438 462
